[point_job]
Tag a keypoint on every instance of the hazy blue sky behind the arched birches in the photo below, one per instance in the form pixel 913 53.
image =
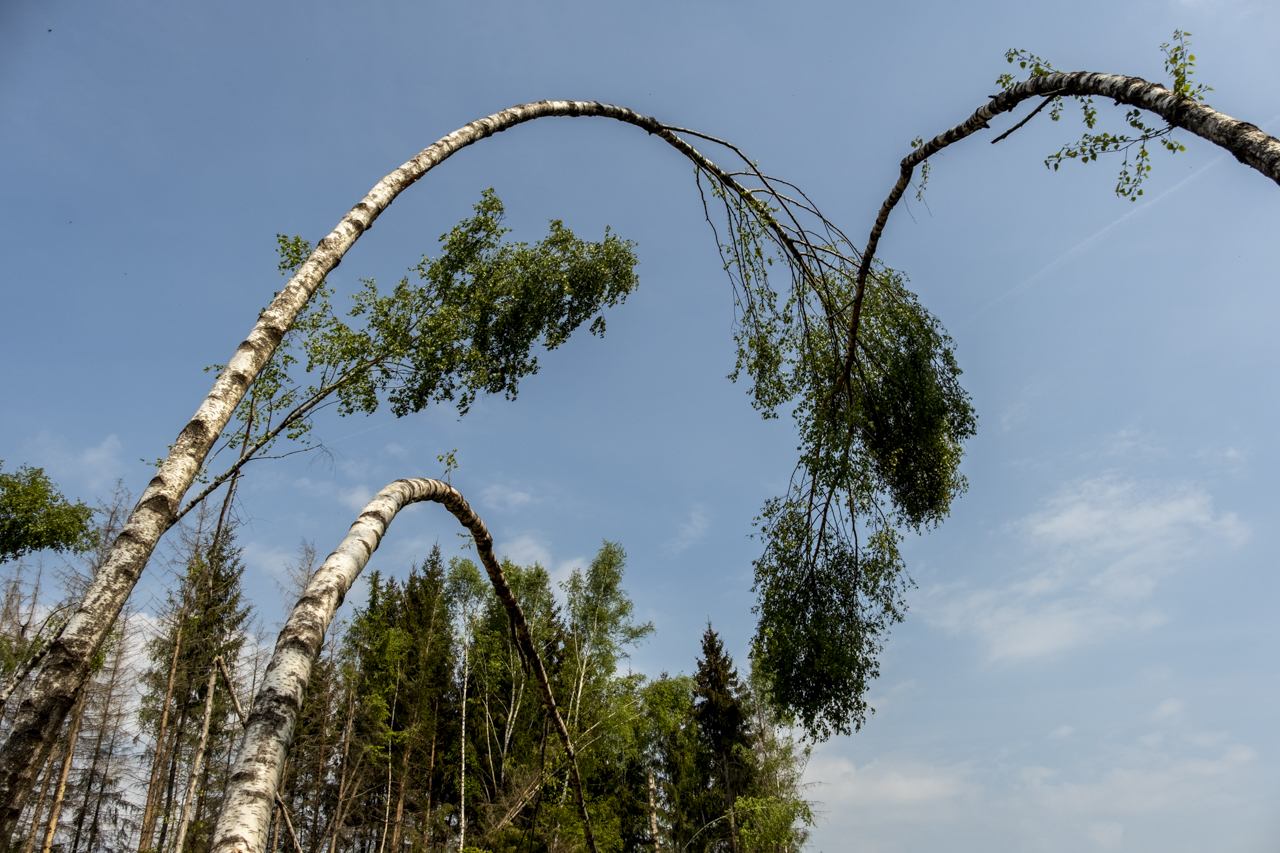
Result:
pixel 1090 663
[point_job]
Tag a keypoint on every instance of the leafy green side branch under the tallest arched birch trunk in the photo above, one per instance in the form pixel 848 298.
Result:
pixel 464 325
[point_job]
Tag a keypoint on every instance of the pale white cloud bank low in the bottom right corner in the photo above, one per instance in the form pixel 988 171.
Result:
pixel 1109 801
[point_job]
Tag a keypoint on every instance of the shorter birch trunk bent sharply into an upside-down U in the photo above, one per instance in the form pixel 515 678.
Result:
pixel 252 792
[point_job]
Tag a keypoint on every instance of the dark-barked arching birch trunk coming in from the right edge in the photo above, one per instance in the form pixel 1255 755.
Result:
pixel 1249 144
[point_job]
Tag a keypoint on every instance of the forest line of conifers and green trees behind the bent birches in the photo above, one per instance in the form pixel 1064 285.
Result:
pixel 422 728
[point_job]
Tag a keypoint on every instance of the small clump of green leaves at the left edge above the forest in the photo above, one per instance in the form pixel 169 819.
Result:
pixel 35 517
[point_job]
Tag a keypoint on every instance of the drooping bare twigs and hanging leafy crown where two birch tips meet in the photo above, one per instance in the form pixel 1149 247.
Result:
pixel 872 384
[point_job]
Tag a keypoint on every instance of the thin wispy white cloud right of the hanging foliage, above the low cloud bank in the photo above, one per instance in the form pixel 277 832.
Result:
pixel 1096 554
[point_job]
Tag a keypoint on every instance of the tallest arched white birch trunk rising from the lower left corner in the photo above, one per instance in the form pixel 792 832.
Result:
pixel 67 665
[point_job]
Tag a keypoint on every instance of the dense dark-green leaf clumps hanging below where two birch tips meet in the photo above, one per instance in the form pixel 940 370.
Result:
pixel 883 458
